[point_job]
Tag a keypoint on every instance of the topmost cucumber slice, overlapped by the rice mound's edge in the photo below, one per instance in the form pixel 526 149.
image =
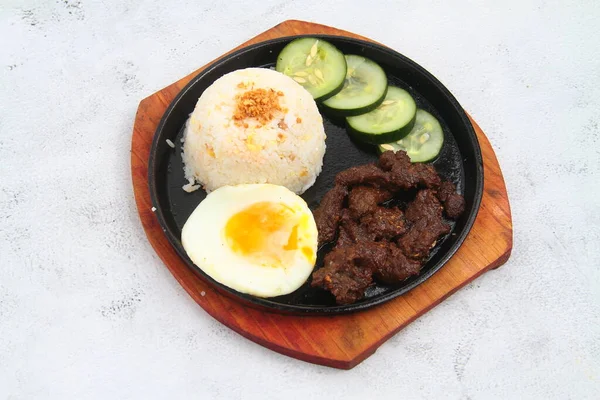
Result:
pixel 315 64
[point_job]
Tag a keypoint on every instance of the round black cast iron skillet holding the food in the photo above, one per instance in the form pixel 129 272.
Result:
pixel 459 161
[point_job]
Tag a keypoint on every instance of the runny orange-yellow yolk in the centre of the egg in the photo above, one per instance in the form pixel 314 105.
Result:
pixel 267 233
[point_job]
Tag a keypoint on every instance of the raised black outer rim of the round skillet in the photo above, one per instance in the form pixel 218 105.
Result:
pixel 267 304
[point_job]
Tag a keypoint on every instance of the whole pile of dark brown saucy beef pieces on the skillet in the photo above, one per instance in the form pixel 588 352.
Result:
pixel 384 218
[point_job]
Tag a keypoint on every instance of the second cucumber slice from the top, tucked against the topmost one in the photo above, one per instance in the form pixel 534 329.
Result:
pixel 364 88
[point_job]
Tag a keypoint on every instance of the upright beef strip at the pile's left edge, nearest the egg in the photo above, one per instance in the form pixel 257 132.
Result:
pixel 327 215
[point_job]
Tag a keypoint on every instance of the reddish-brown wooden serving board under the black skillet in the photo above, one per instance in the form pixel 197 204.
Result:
pixel 337 341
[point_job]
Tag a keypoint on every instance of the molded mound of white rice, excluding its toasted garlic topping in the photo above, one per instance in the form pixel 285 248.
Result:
pixel 217 151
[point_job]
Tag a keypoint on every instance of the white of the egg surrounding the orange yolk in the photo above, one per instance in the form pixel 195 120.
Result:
pixel 204 240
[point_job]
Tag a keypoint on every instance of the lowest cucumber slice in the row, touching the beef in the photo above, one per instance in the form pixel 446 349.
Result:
pixel 423 143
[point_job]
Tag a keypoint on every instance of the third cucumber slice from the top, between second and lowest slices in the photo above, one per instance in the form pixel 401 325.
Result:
pixel 391 121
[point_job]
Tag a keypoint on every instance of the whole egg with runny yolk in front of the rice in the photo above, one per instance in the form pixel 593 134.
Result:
pixel 259 239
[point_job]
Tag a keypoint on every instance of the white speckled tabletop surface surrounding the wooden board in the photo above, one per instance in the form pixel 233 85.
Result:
pixel 88 311
